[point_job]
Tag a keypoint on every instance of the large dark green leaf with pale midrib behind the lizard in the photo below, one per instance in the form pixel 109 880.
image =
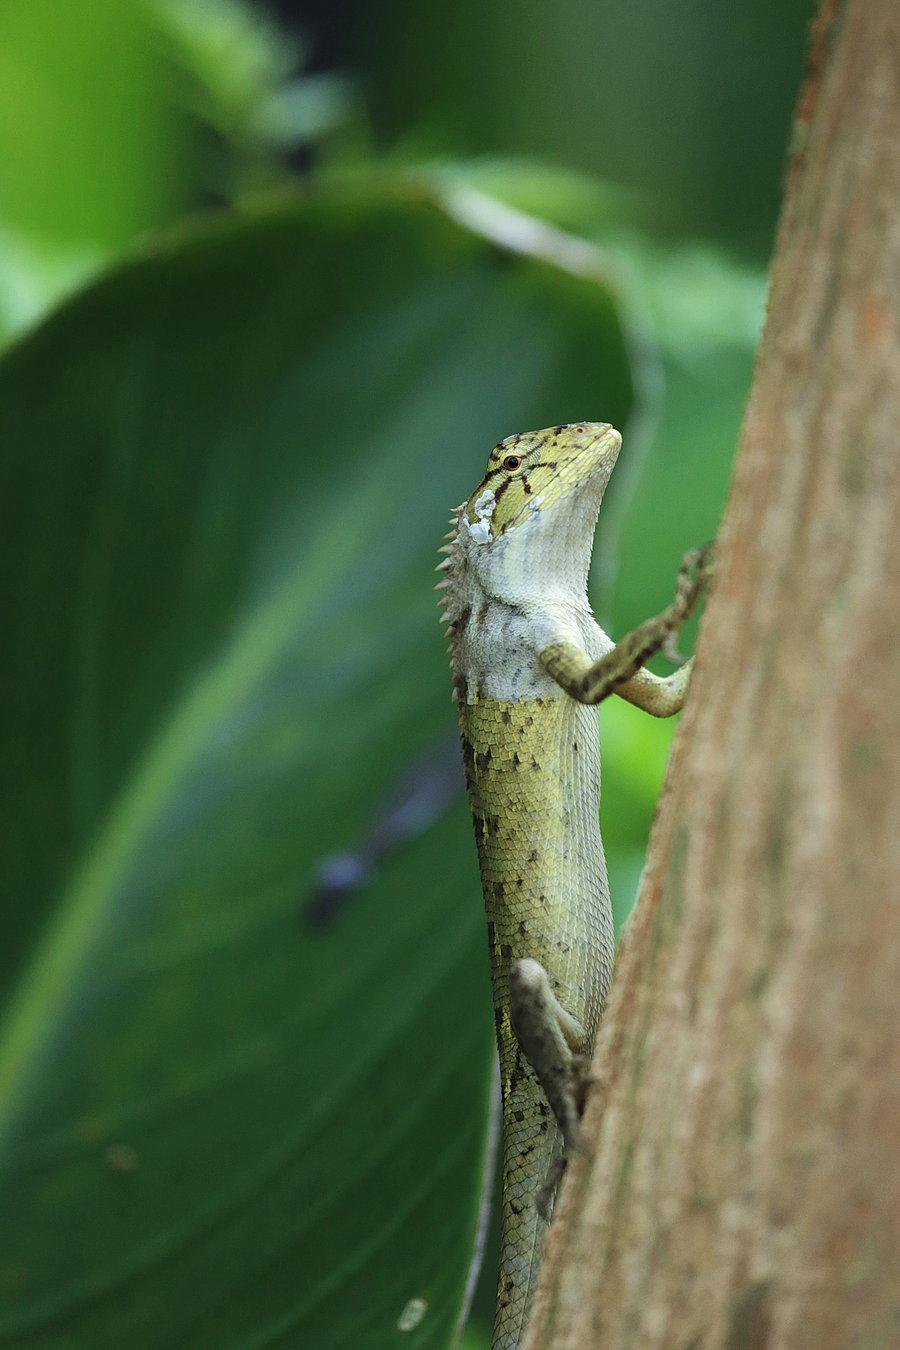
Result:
pixel 225 476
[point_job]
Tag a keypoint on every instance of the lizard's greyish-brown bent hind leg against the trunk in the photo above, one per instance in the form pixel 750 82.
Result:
pixel 554 1043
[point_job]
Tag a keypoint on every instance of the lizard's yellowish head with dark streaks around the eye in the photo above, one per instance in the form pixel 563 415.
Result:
pixel 538 470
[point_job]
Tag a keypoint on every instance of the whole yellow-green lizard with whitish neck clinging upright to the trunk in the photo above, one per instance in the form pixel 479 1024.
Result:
pixel 530 664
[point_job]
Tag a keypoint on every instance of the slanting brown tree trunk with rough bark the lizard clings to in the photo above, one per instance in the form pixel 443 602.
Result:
pixel 741 1186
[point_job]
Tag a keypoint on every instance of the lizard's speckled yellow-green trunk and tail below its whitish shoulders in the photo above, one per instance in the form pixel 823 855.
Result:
pixel 534 773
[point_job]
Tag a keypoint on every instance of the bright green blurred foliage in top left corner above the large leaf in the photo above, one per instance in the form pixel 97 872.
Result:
pixel 119 117
